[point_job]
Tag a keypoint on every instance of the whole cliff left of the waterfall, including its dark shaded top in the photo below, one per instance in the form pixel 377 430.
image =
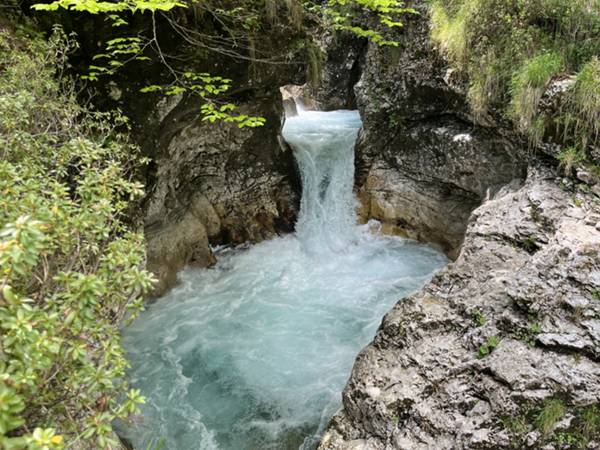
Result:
pixel 211 183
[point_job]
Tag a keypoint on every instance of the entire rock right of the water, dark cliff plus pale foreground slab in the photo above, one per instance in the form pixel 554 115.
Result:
pixel 508 334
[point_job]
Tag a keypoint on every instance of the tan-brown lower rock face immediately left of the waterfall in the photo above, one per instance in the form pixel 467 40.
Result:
pixel 217 183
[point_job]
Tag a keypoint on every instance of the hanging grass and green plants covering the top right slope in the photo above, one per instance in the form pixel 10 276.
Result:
pixel 511 49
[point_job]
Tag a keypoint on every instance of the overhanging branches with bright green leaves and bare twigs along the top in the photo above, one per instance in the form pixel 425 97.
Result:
pixel 240 24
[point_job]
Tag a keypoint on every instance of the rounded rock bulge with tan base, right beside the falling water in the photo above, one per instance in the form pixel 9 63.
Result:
pixel 425 181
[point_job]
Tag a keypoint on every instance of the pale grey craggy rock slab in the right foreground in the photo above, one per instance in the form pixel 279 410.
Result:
pixel 528 277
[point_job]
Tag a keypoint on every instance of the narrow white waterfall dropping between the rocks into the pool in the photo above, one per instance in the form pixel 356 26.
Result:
pixel 323 145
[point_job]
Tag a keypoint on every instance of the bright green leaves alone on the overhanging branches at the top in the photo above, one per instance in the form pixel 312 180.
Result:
pixel 119 51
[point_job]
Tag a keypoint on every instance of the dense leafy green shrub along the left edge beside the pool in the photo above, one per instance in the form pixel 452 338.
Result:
pixel 70 266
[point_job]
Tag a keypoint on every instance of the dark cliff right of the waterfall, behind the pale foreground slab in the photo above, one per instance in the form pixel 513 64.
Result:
pixel 422 163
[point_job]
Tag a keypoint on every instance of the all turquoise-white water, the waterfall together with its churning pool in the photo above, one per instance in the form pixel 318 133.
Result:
pixel 254 352
